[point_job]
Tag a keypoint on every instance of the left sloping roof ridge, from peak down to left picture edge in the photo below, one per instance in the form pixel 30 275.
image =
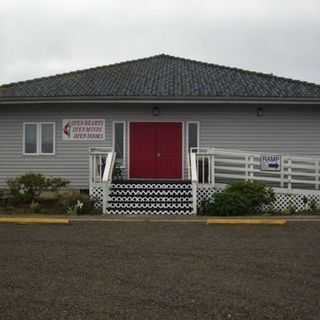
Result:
pixel 7 85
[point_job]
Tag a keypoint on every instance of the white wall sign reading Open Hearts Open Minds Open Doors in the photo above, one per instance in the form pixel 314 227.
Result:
pixel 83 129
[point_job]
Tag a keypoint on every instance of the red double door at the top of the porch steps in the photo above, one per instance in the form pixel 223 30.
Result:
pixel 155 150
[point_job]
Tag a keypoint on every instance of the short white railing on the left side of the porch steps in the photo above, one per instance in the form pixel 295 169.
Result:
pixel 101 163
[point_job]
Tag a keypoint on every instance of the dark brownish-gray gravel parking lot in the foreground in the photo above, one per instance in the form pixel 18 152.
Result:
pixel 159 271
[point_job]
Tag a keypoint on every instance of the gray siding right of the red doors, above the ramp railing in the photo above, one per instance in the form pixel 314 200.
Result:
pixel 281 129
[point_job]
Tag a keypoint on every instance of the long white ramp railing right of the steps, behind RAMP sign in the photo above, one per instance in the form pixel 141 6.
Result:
pixel 218 166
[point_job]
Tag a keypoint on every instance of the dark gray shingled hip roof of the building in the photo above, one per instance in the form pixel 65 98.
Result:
pixel 162 76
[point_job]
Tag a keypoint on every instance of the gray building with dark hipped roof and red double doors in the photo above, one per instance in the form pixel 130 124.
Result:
pixel 151 111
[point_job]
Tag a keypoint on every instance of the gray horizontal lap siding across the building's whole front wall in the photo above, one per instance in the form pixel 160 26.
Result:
pixel 283 129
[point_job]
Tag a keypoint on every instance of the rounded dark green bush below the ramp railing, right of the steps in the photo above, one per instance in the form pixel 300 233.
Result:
pixel 241 198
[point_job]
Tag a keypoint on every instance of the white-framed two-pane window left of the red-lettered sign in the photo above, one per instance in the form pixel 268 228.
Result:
pixel 39 138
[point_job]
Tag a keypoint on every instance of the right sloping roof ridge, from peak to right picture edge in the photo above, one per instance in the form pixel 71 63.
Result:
pixel 244 70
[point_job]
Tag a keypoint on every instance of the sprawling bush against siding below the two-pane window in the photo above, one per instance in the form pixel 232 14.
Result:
pixel 28 188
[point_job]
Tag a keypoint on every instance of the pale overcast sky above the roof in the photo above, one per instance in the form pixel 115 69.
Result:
pixel 45 37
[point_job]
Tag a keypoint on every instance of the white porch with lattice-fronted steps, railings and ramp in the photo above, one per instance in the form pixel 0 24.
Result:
pixel 296 182
